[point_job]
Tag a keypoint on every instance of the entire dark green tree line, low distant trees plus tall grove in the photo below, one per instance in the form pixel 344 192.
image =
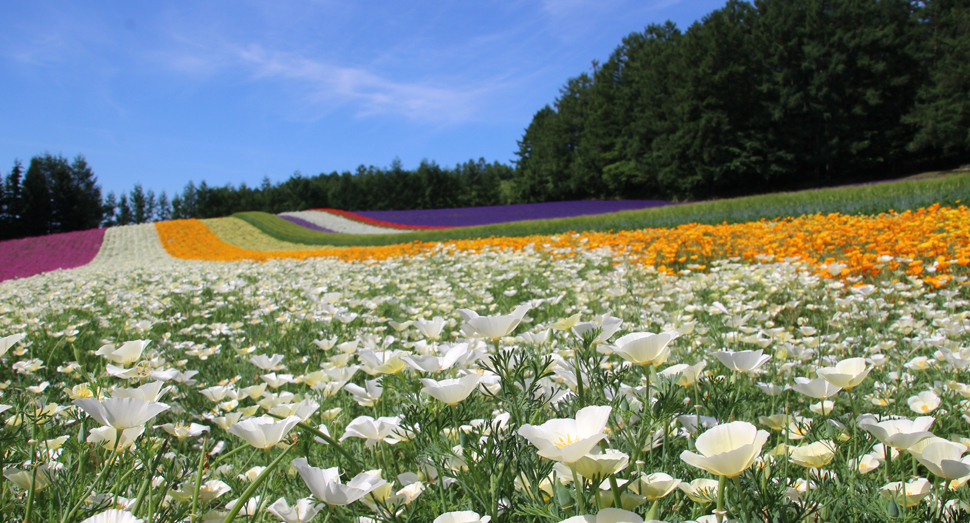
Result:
pixel 755 97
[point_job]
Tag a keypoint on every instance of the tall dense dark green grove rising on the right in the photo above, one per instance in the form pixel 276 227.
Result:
pixel 763 96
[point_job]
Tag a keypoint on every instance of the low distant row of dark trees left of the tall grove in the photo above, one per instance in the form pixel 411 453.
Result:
pixel 56 195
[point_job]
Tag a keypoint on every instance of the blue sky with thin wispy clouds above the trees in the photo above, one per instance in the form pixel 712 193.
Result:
pixel 160 93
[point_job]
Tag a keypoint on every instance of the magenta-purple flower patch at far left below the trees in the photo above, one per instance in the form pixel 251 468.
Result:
pixel 29 256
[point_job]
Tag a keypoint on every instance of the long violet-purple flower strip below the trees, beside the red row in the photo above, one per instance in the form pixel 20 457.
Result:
pixel 468 216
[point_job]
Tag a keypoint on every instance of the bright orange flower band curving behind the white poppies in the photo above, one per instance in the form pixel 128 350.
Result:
pixel 926 241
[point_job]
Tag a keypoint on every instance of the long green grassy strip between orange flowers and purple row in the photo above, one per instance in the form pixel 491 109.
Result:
pixel 912 193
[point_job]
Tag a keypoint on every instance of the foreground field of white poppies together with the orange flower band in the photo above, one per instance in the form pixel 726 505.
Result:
pixel 803 369
